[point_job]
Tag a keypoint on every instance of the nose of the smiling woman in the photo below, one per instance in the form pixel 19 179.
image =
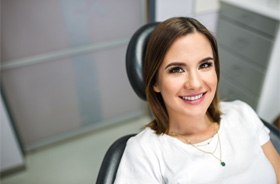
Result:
pixel 193 81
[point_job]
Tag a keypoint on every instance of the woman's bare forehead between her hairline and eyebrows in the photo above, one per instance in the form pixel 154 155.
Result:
pixel 191 47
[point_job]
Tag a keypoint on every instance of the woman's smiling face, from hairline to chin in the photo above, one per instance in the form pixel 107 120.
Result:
pixel 187 78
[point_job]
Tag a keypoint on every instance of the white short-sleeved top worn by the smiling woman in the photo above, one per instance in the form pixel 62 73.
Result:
pixel 150 158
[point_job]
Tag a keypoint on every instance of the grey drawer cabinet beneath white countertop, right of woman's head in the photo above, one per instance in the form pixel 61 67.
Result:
pixel 245 41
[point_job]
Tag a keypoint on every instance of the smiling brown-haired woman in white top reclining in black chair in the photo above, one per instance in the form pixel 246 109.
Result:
pixel 194 138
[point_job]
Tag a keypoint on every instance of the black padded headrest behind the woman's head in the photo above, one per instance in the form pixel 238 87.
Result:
pixel 135 58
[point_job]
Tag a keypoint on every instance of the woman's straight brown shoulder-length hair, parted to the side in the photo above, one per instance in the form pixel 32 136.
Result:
pixel 159 43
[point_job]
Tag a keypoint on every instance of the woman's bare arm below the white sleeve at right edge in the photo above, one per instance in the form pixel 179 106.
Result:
pixel 273 157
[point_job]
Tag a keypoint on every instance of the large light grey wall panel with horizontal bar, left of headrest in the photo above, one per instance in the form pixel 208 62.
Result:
pixel 64 65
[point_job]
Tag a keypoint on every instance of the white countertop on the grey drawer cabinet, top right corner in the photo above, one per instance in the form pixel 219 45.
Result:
pixel 269 8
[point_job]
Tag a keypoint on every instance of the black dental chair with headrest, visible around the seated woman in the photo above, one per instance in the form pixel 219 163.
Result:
pixel 134 61
